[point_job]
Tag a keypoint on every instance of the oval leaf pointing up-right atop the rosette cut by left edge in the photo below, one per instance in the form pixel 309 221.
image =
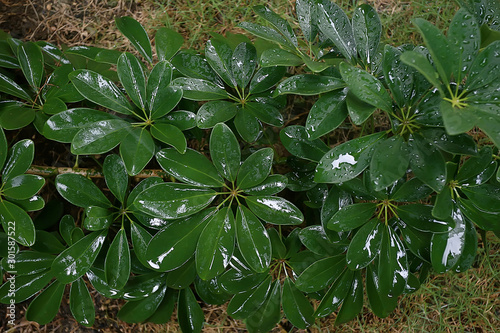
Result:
pixel 20 158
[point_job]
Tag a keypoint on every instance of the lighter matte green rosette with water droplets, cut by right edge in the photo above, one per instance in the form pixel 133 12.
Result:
pixel 465 76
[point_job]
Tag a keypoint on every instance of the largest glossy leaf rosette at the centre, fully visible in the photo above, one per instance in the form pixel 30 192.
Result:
pixel 245 194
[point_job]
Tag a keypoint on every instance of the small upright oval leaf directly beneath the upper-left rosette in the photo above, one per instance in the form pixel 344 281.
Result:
pixel 116 176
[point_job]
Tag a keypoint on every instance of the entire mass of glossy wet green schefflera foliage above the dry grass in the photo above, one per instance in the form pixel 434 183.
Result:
pixel 243 215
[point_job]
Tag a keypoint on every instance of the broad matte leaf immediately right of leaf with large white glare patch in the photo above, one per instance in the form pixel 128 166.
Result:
pixel 389 162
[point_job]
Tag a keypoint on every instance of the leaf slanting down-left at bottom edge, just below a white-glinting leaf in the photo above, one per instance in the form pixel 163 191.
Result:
pixel 140 310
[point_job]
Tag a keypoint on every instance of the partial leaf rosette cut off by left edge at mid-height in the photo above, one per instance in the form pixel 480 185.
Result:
pixel 18 191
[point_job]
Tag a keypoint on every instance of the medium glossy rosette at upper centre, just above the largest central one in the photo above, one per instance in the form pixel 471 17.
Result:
pixel 233 87
